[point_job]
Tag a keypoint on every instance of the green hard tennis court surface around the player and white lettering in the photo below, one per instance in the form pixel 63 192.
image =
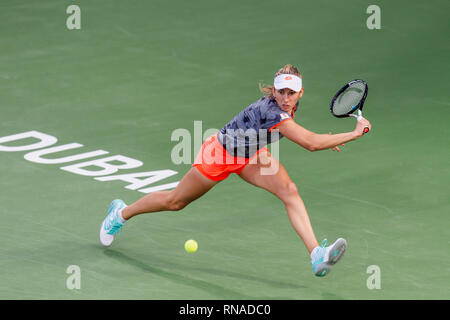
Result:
pixel 138 70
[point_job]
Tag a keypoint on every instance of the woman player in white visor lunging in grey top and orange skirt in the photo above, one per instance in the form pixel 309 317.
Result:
pixel 240 147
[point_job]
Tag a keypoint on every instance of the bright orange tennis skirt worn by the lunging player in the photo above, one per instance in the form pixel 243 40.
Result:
pixel 215 163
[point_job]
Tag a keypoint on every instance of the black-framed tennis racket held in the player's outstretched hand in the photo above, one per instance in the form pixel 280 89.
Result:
pixel 348 99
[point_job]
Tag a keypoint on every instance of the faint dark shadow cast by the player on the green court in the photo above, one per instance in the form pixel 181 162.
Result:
pixel 217 290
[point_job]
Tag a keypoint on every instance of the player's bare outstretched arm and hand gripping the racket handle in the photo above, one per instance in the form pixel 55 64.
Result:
pixel 313 141
